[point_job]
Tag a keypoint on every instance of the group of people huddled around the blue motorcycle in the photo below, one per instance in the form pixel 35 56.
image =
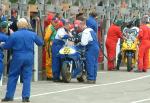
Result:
pixel 56 29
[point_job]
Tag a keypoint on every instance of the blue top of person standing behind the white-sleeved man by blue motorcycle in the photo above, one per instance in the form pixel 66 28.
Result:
pixel 91 23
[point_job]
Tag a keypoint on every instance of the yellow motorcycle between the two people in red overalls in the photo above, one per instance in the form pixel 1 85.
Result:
pixel 129 48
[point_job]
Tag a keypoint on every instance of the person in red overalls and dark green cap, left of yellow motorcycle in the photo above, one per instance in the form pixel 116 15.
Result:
pixel 114 33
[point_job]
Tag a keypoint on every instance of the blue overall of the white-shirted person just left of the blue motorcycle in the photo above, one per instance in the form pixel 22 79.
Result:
pixel 56 61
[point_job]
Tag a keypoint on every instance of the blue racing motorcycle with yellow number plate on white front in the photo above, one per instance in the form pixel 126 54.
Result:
pixel 73 62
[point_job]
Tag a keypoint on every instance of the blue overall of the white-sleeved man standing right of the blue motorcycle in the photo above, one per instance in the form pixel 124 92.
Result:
pixel 92 57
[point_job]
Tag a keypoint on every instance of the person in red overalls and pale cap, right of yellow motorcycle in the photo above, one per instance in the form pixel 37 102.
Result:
pixel 144 39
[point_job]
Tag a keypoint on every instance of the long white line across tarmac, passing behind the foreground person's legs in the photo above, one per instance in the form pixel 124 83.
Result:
pixel 86 87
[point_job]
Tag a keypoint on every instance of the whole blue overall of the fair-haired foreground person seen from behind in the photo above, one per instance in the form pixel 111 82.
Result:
pixel 22 44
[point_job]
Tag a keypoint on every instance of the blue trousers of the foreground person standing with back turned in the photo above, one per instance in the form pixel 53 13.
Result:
pixel 21 63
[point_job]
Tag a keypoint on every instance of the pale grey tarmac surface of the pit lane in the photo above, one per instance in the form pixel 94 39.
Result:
pixel 111 87
